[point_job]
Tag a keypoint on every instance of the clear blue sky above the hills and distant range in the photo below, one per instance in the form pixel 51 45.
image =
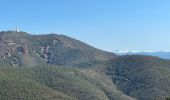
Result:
pixel 105 24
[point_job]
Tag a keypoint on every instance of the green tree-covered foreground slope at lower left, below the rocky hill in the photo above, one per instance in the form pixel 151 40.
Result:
pixel 55 83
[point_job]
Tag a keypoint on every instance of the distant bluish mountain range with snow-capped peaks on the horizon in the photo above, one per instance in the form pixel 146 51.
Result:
pixel 161 54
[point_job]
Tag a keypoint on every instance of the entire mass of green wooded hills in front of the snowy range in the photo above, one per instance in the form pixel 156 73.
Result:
pixel 57 67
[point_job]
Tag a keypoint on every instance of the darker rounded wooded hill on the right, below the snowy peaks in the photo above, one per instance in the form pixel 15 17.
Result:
pixel 142 77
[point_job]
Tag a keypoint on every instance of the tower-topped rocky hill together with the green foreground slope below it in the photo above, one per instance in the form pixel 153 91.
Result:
pixel 33 65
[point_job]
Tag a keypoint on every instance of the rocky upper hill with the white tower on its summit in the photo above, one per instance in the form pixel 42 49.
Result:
pixel 23 49
